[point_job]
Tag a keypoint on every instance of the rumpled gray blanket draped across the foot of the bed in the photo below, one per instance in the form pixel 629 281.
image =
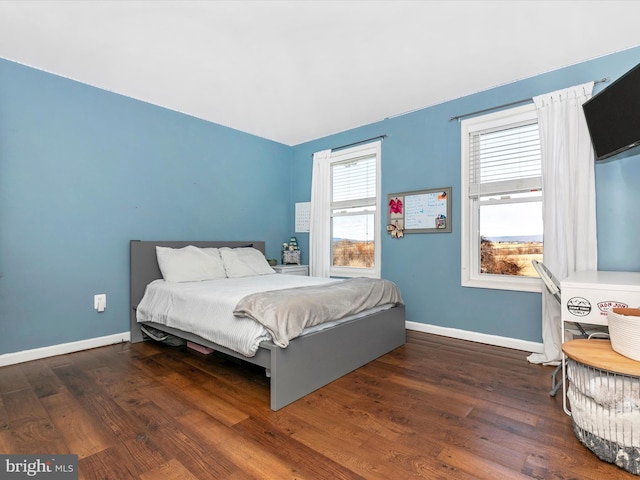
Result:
pixel 286 313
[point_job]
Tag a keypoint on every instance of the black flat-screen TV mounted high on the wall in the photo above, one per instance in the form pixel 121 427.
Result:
pixel 613 116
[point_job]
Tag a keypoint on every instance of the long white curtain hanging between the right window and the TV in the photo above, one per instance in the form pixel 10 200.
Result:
pixel 569 201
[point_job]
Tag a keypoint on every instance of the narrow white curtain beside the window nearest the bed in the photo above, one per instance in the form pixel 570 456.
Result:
pixel 320 227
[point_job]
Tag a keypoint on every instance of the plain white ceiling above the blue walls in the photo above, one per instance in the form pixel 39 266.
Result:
pixel 293 71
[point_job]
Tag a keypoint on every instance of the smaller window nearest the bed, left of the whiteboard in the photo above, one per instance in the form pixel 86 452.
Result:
pixel 355 211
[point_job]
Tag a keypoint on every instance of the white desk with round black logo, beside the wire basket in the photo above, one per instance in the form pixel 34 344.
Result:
pixel 588 296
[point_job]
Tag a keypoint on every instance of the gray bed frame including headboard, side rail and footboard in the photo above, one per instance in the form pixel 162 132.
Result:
pixel 309 362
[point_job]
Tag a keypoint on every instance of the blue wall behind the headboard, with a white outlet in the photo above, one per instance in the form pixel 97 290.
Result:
pixel 83 171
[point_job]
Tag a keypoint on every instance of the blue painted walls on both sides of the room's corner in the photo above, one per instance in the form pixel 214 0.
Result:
pixel 83 171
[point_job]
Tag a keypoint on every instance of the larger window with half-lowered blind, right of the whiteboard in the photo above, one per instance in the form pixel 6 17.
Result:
pixel 502 200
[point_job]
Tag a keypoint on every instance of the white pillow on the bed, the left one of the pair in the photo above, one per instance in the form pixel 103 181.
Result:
pixel 190 264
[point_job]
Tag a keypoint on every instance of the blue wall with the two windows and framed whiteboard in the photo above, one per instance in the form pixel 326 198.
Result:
pixel 422 150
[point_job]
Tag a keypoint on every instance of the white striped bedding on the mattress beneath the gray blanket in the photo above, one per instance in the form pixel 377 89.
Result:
pixel 206 308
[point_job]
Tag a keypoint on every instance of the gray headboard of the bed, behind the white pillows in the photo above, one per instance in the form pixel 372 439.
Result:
pixel 144 268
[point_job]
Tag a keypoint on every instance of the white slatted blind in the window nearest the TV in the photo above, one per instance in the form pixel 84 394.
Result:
pixel 505 161
